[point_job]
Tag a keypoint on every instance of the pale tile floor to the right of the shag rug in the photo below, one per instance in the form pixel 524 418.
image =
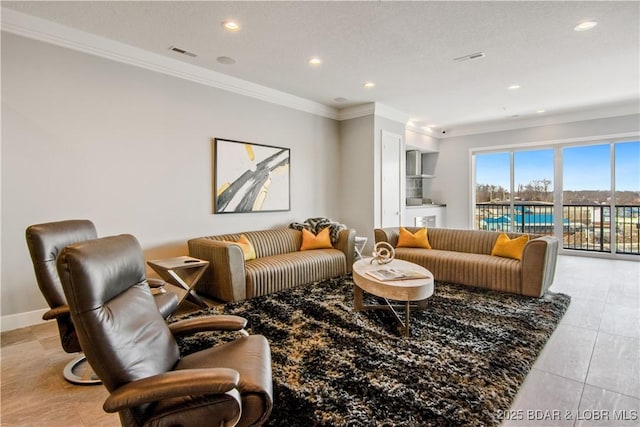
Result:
pixel 588 374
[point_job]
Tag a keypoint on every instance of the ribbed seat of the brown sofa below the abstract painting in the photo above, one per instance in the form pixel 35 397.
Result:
pixel 272 273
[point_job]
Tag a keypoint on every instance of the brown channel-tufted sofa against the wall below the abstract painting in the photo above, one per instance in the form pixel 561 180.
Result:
pixel 279 263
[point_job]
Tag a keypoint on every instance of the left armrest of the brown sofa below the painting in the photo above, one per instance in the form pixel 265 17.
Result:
pixel 225 279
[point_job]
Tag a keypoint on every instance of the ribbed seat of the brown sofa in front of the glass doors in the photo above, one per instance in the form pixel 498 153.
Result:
pixel 486 271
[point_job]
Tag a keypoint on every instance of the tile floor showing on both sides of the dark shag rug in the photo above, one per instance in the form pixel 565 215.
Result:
pixel 587 375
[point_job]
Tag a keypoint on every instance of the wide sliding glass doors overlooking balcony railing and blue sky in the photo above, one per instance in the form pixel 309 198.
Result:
pixel 597 208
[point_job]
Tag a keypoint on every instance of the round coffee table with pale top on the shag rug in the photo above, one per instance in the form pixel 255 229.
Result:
pixel 407 291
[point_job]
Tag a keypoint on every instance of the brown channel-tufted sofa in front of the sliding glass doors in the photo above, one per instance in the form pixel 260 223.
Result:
pixel 464 257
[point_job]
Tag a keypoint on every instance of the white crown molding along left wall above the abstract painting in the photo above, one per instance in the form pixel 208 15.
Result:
pixel 50 32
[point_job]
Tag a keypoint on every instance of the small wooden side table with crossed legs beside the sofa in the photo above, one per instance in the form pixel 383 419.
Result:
pixel 182 271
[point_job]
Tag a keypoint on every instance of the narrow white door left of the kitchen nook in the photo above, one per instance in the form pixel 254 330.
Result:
pixel 391 179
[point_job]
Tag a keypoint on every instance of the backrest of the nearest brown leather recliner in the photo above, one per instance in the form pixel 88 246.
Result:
pixel 120 329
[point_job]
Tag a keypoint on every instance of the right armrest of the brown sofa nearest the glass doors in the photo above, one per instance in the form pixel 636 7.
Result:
pixel 539 259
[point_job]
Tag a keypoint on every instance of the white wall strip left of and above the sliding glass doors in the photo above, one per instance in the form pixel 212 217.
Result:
pixel 453 172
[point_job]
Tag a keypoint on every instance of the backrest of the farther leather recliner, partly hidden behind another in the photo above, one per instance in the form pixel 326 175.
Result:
pixel 45 241
